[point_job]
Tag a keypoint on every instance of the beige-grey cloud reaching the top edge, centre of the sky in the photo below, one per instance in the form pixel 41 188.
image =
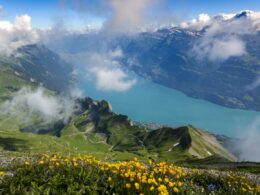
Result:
pixel 118 16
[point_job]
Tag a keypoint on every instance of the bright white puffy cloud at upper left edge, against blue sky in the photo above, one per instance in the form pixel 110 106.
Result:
pixel 17 34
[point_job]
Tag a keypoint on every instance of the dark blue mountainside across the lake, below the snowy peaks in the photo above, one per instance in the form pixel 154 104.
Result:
pixel 166 57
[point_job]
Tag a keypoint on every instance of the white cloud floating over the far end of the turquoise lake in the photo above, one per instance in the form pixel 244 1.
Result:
pixel 104 68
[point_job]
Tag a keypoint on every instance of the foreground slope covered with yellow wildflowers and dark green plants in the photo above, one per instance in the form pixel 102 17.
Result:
pixel 85 174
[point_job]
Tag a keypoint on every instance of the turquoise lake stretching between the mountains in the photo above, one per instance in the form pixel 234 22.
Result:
pixel 150 102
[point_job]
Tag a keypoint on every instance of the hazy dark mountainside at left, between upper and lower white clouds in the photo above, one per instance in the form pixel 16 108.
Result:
pixel 34 65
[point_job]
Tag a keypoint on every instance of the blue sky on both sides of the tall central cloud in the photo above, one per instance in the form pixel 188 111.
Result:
pixel 45 13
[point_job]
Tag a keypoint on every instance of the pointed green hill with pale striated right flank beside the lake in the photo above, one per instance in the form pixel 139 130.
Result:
pixel 187 141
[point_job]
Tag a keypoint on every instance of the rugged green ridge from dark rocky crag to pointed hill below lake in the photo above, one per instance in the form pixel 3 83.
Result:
pixel 99 123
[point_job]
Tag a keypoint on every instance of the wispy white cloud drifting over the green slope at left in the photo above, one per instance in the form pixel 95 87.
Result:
pixel 28 103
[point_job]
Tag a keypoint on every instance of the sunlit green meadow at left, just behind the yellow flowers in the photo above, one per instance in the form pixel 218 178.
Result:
pixel 72 141
